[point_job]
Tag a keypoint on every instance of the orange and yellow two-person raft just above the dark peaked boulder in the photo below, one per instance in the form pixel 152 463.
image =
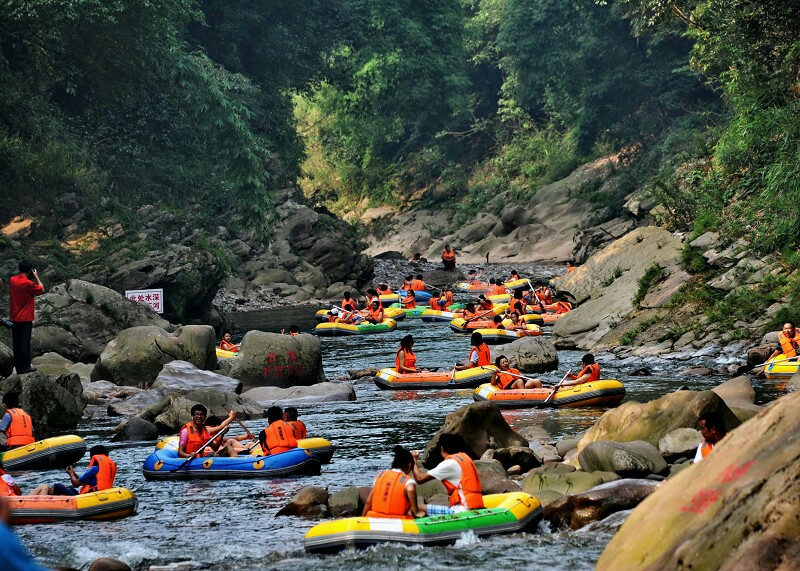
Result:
pixel 598 393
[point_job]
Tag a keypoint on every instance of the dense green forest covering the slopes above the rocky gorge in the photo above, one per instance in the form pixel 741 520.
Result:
pixel 217 104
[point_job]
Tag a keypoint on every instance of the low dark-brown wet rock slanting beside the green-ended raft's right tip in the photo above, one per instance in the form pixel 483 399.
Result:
pixel 577 510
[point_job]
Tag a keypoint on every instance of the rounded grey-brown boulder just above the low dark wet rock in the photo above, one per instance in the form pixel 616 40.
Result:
pixel 628 459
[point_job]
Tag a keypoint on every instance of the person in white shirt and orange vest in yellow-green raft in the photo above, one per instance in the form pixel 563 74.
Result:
pixel 457 472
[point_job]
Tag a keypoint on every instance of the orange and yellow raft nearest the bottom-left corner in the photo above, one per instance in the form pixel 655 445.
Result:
pixel 114 503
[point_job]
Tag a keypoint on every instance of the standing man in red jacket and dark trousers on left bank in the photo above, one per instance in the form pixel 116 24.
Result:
pixel 21 291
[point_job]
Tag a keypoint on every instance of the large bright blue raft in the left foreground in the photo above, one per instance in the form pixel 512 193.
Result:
pixel 164 464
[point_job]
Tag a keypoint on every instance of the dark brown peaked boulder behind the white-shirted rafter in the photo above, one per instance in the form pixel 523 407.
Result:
pixel 481 425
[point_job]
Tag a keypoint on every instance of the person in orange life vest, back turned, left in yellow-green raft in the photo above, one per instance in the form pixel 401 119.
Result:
pixel 396 491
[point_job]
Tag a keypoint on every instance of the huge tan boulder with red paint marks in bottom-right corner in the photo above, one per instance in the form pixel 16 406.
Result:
pixel 737 509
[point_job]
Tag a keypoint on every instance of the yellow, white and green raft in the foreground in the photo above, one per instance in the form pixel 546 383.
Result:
pixel 504 513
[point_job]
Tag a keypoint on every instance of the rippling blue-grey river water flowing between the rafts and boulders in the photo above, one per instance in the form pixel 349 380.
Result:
pixel 225 525
